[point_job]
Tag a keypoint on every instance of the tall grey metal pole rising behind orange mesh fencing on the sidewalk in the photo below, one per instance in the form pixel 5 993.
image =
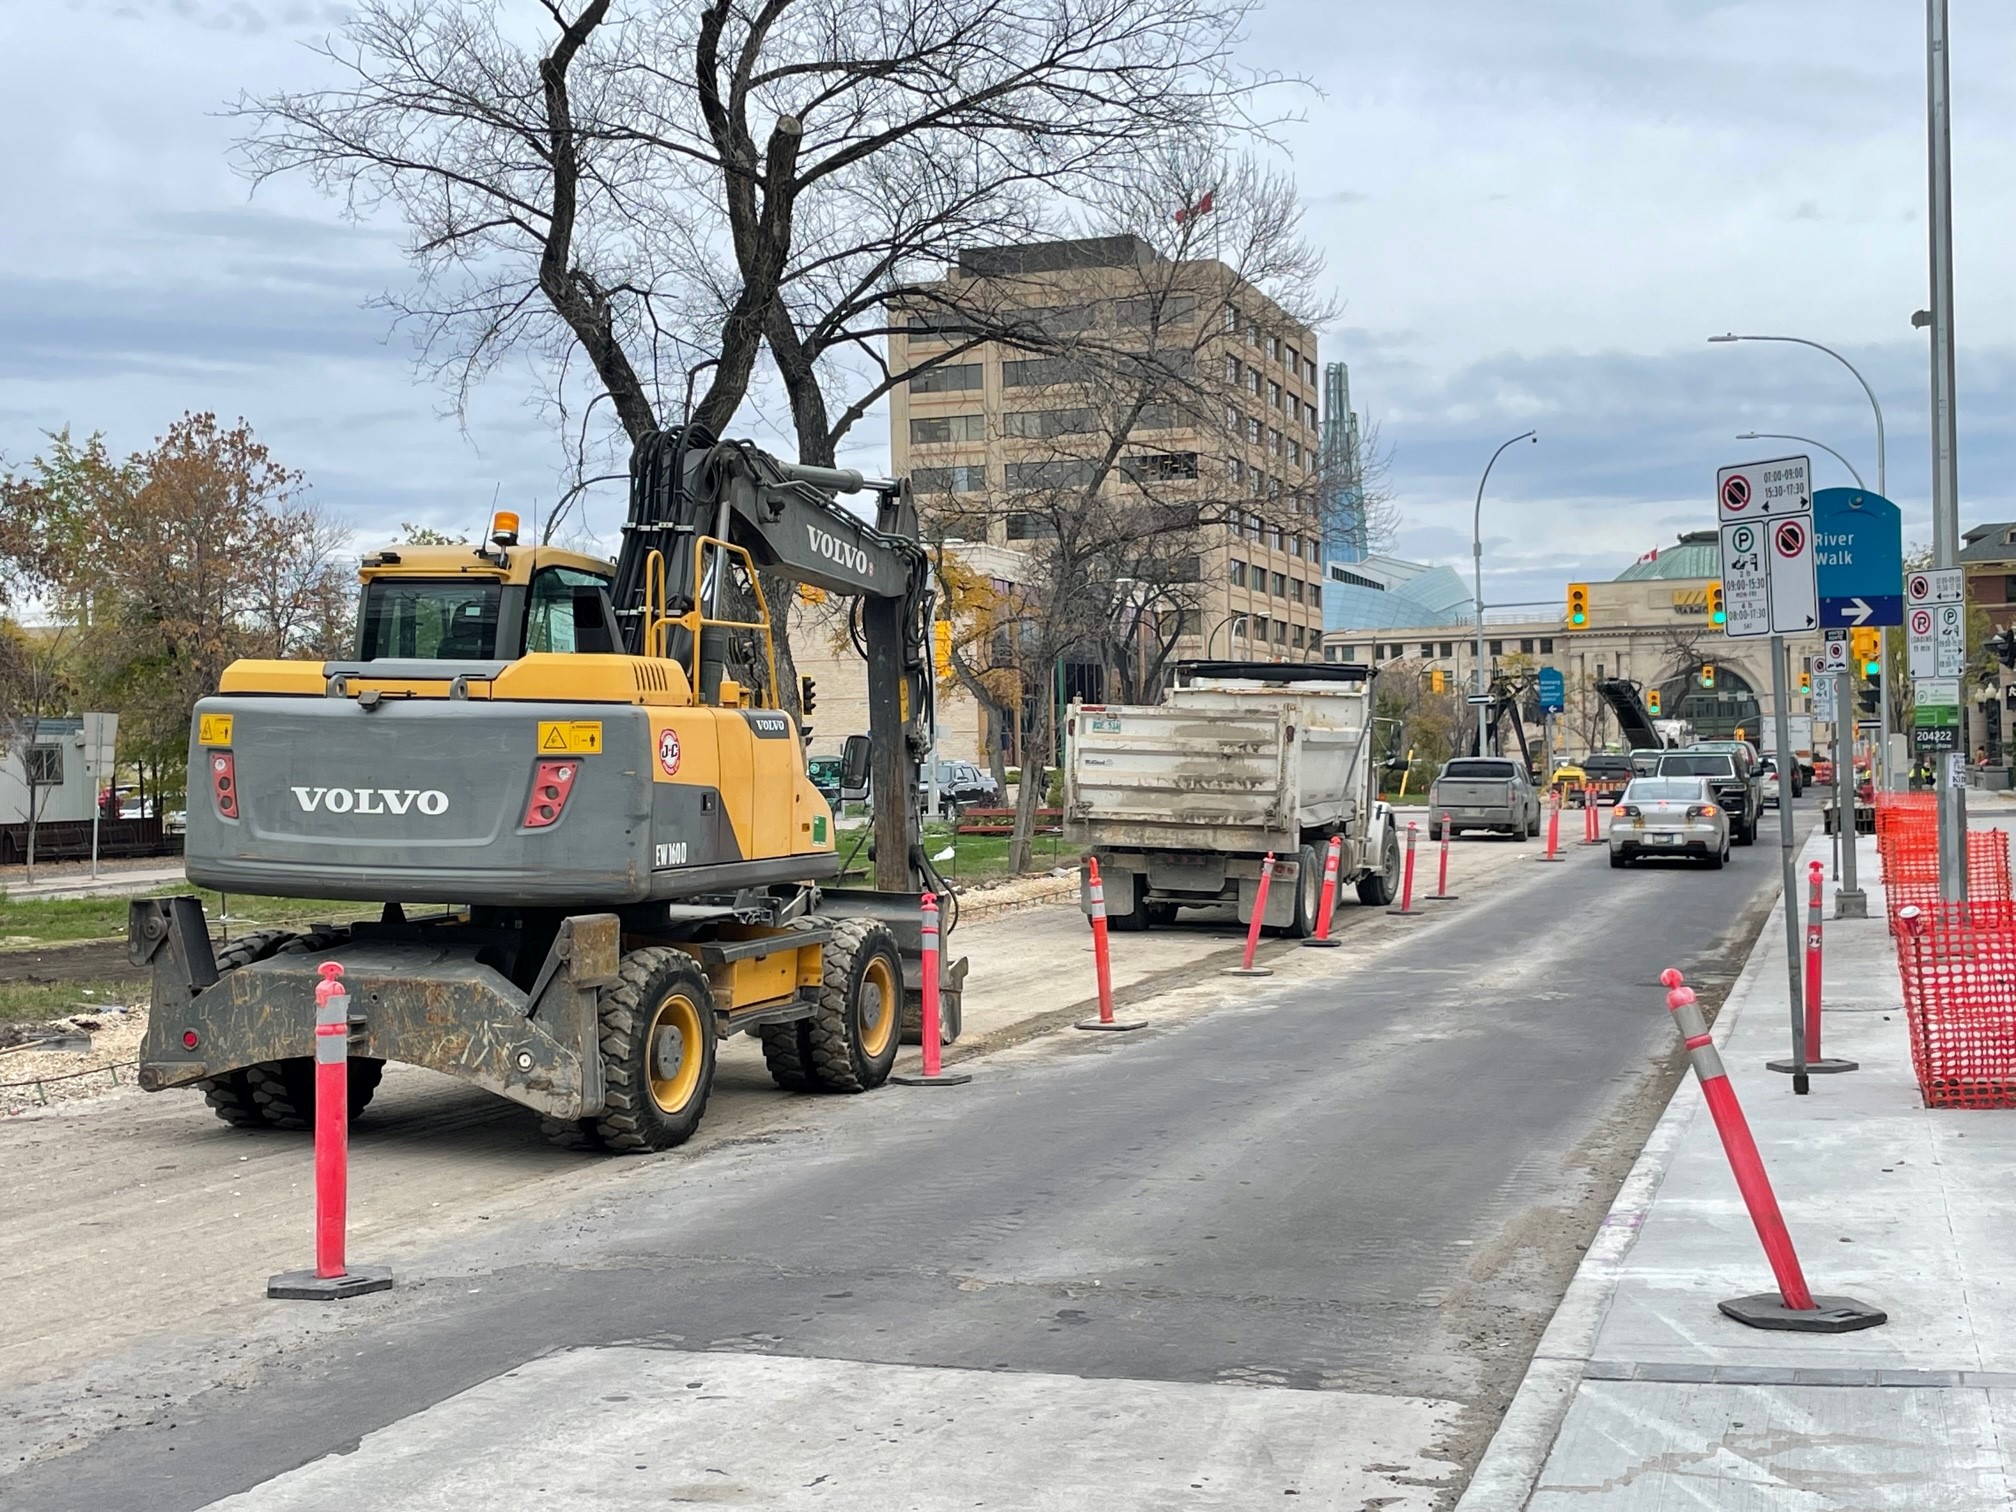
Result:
pixel 1944 443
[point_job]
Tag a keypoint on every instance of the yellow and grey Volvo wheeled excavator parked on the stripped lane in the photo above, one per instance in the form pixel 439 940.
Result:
pixel 580 813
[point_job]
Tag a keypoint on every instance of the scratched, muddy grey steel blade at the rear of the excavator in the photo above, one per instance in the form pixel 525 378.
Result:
pixel 428 1005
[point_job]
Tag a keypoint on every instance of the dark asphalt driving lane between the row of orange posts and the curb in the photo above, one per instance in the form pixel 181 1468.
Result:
pixel 1374 1182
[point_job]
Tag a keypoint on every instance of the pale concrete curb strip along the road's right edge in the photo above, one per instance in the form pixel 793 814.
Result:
pixel 1525 1438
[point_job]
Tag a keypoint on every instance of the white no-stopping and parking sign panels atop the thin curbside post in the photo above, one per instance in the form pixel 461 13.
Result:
pixel 1767 547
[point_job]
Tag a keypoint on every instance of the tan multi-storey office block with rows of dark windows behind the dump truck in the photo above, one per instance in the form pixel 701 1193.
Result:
pixel 1241 434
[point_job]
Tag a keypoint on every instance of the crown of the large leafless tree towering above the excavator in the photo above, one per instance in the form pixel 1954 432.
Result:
pixel 658 193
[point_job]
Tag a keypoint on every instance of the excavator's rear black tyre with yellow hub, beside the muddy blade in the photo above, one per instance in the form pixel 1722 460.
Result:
pixel 658 1051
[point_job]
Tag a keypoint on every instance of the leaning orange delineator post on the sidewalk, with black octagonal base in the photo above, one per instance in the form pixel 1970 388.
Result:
pixel 1793 1307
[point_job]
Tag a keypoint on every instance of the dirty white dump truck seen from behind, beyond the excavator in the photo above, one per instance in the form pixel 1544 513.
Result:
pixel 1182 801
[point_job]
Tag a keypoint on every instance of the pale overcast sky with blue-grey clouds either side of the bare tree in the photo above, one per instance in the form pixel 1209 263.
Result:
pixel 1533 211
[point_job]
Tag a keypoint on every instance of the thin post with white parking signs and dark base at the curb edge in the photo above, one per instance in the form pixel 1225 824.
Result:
pixel 1767 529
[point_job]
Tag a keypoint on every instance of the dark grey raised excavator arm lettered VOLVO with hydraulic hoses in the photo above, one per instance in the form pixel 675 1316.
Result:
pixel 707 517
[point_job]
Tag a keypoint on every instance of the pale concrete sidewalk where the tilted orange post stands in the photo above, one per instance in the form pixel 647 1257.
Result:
pixel 1644 1398
